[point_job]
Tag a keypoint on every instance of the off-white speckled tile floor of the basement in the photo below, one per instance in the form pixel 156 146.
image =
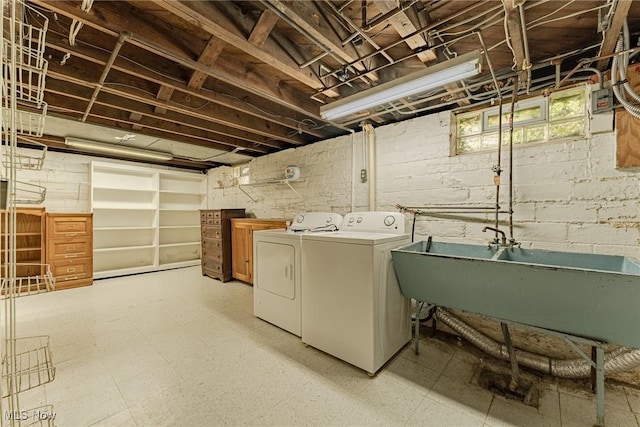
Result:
pixel 178 349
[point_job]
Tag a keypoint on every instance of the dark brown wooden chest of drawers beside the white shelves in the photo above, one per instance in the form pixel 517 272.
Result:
pixel 215 227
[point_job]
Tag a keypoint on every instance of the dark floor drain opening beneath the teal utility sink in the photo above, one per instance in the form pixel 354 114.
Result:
pixel 524 390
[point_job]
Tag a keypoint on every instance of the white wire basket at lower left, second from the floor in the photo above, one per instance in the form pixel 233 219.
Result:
pixel 29 366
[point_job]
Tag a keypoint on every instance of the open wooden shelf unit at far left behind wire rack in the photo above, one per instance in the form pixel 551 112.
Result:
pixel 30 241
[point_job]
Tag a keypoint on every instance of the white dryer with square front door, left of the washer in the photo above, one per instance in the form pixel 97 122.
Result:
pixel 277 272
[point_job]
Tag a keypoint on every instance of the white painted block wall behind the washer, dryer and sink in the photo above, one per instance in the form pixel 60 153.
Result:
pixel 567 195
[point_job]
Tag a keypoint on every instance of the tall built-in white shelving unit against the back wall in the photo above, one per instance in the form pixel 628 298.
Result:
pixel 145 219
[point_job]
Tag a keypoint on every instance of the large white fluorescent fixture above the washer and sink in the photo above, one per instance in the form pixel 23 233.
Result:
pixel 438 75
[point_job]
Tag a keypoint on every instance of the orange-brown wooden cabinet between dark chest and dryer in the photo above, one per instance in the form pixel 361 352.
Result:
pixel 242 243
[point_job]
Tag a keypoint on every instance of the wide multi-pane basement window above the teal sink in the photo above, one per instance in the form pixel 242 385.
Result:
pixel 561 115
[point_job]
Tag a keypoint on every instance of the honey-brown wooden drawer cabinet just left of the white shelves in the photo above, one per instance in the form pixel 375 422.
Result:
pixel 70 248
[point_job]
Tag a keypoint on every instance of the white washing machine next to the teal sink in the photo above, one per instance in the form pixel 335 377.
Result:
pixel 353 308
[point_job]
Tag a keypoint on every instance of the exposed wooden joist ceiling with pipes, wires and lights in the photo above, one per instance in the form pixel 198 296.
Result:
pixel 206 83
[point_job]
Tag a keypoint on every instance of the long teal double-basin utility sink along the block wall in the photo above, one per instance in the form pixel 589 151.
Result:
pixel 589 295
